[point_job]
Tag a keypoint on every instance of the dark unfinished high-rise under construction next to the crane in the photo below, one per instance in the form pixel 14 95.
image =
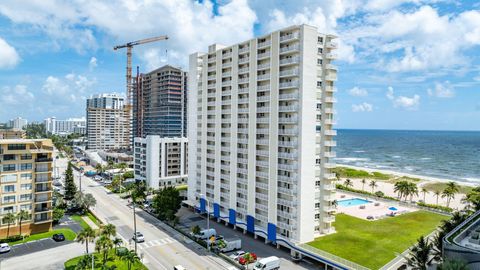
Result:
pixel 159 103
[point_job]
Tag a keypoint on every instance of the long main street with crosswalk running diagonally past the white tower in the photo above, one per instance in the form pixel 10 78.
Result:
pixel 163 247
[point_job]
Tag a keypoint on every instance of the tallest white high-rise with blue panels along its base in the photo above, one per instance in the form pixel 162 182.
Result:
pixel 260 116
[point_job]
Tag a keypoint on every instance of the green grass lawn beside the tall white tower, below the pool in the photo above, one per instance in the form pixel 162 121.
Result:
pixel 375 243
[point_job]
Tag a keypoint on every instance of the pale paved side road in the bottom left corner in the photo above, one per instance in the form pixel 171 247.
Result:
pixel 49 259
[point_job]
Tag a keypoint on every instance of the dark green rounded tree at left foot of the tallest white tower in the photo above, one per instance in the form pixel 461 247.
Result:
pixel 166 203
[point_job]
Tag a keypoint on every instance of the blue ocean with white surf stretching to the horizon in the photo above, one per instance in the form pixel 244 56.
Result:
pixel 452 155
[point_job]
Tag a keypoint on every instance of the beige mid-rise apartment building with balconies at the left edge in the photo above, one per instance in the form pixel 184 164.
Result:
pixel 25 178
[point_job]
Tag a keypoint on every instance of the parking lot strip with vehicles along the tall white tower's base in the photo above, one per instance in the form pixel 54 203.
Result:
pixel 249 244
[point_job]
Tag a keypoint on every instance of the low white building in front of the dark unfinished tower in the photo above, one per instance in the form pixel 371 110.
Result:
pixel 161 161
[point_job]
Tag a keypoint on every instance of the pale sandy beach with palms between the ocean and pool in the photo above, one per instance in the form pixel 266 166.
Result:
pixel 388 188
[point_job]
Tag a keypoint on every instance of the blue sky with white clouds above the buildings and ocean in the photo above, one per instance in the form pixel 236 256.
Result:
pixel 403 64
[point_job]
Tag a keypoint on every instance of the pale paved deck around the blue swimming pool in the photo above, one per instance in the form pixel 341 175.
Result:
pixel 376 209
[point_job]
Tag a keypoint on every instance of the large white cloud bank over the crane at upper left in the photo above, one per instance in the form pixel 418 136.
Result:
pixel 190 25
